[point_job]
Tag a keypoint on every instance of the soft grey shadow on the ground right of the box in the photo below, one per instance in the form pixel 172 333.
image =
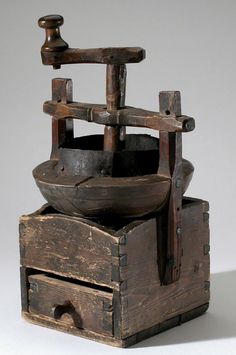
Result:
pixel 217 323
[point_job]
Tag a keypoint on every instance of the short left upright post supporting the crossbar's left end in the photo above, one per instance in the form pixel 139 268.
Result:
pixel 62 129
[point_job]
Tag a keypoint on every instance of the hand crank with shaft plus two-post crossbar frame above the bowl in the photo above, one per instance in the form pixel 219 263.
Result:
pixel 115 116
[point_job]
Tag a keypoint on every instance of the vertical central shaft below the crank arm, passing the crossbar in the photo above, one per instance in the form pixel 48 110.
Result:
pixel 115 96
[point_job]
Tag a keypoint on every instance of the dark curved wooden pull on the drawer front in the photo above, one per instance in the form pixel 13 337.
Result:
pixel 67 307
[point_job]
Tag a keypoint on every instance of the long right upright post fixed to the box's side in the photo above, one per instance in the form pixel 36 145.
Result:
pixel 170 165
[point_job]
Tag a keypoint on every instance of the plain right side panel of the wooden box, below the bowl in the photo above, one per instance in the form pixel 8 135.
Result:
pixel 145 302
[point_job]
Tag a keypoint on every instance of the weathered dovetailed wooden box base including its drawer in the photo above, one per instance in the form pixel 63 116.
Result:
pixel 102 282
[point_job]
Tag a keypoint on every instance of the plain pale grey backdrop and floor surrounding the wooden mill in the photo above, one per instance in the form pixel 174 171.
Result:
pixel 191 47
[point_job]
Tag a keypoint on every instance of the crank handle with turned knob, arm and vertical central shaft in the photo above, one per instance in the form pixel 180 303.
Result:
pixel 55 51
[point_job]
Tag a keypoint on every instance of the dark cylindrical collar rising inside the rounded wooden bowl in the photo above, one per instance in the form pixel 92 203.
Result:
pixel 84 156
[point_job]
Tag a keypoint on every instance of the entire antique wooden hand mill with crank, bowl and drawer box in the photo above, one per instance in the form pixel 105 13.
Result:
pixel 117 254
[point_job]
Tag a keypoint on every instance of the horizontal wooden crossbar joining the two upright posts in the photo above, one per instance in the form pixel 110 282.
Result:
pixel 129 116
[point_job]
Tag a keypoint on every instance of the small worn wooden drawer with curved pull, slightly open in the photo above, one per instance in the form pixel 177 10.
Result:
pixel 71 304
